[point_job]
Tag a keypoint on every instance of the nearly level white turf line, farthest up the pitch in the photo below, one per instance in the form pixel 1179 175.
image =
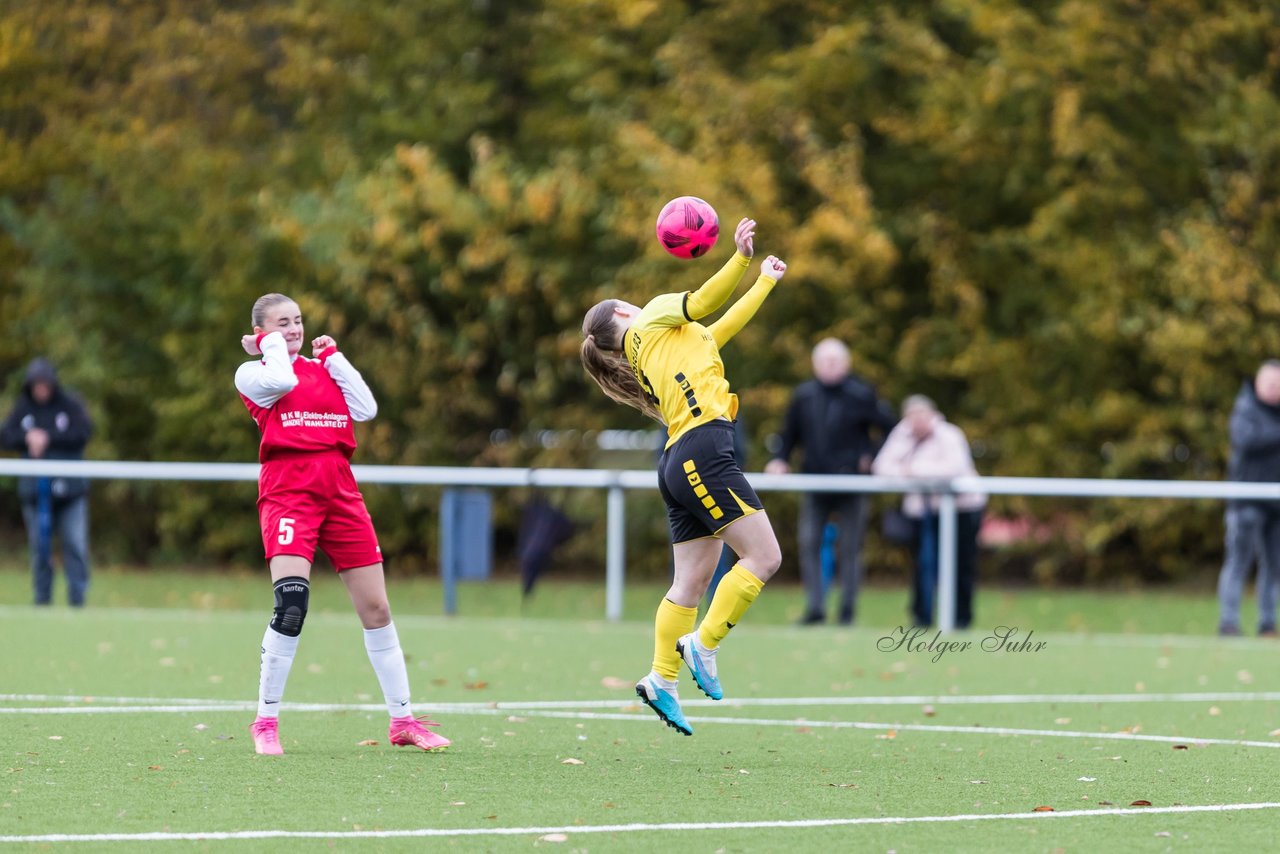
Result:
pixel 792 702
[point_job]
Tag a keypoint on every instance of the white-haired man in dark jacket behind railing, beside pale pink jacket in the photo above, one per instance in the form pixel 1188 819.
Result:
pixel 833 418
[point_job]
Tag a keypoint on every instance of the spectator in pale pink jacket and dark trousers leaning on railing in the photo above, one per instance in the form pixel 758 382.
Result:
pixel 925 445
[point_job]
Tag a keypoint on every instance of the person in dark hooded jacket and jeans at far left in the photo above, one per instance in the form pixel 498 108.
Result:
pixel 51 423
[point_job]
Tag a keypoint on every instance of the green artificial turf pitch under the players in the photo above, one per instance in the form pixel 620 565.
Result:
pixel 158 768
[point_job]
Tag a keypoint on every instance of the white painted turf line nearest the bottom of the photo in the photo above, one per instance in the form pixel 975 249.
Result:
pixel 624 829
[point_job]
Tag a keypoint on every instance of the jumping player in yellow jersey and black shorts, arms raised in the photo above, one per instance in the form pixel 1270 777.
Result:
pixel 668 366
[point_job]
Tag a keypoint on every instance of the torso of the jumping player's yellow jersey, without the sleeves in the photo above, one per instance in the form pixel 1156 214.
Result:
pixel 679 366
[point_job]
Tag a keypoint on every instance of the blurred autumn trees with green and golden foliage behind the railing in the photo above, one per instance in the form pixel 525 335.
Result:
pixel 1059 220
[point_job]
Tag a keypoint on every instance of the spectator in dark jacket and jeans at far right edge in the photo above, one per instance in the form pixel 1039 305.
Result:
pixel 1254 527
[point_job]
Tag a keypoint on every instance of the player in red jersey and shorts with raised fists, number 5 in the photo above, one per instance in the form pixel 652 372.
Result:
pixel 309 499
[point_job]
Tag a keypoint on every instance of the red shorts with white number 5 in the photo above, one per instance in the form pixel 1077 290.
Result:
pixel 313 501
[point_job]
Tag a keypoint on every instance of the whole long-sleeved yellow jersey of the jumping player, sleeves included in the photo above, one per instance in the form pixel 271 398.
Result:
pixel 678 359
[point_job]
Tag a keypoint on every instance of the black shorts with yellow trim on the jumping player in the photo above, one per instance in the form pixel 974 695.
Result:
pixel 702 483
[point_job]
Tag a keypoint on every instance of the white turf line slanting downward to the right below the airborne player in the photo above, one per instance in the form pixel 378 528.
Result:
pixel 636 718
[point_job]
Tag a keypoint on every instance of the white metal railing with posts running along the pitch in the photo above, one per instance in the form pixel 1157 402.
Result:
pixel 618 482
